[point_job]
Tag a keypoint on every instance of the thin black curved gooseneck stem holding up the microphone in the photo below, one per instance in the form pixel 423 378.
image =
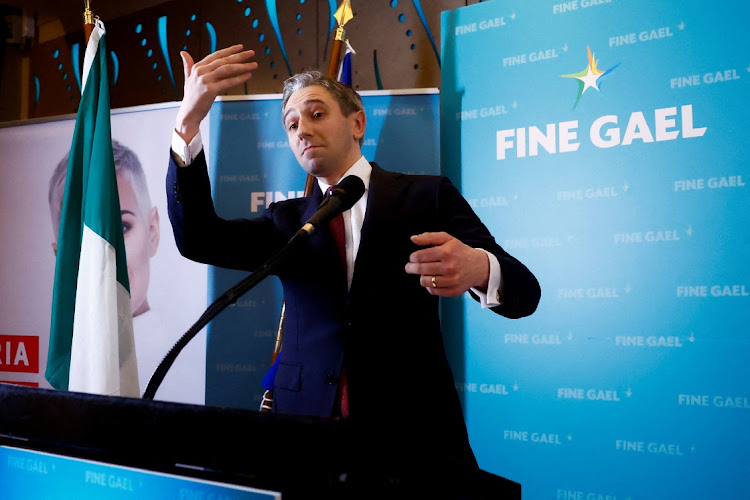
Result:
pixel 226 299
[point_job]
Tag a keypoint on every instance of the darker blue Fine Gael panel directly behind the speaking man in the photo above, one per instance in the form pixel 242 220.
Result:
pixel 251 166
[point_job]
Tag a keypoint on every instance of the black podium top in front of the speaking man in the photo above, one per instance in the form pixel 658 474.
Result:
pixel 298 456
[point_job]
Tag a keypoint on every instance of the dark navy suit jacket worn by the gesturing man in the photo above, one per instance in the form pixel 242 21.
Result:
pixel 385 328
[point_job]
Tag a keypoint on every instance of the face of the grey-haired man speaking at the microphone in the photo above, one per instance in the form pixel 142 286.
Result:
pixel 325 142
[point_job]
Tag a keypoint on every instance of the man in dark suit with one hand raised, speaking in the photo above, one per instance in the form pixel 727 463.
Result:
pixel 367 327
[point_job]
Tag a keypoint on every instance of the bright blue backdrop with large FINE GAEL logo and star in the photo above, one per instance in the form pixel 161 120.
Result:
pixel 605 144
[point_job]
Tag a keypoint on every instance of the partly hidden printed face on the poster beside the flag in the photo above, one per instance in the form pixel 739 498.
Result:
pixel 141 232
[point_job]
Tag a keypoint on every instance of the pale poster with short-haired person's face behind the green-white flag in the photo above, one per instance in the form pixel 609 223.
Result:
pixel 168 292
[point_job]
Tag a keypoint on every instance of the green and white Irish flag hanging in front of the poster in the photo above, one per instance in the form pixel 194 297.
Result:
pixel 91 335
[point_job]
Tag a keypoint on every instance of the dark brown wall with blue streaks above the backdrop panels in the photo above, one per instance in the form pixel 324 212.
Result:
pixel 397 44
